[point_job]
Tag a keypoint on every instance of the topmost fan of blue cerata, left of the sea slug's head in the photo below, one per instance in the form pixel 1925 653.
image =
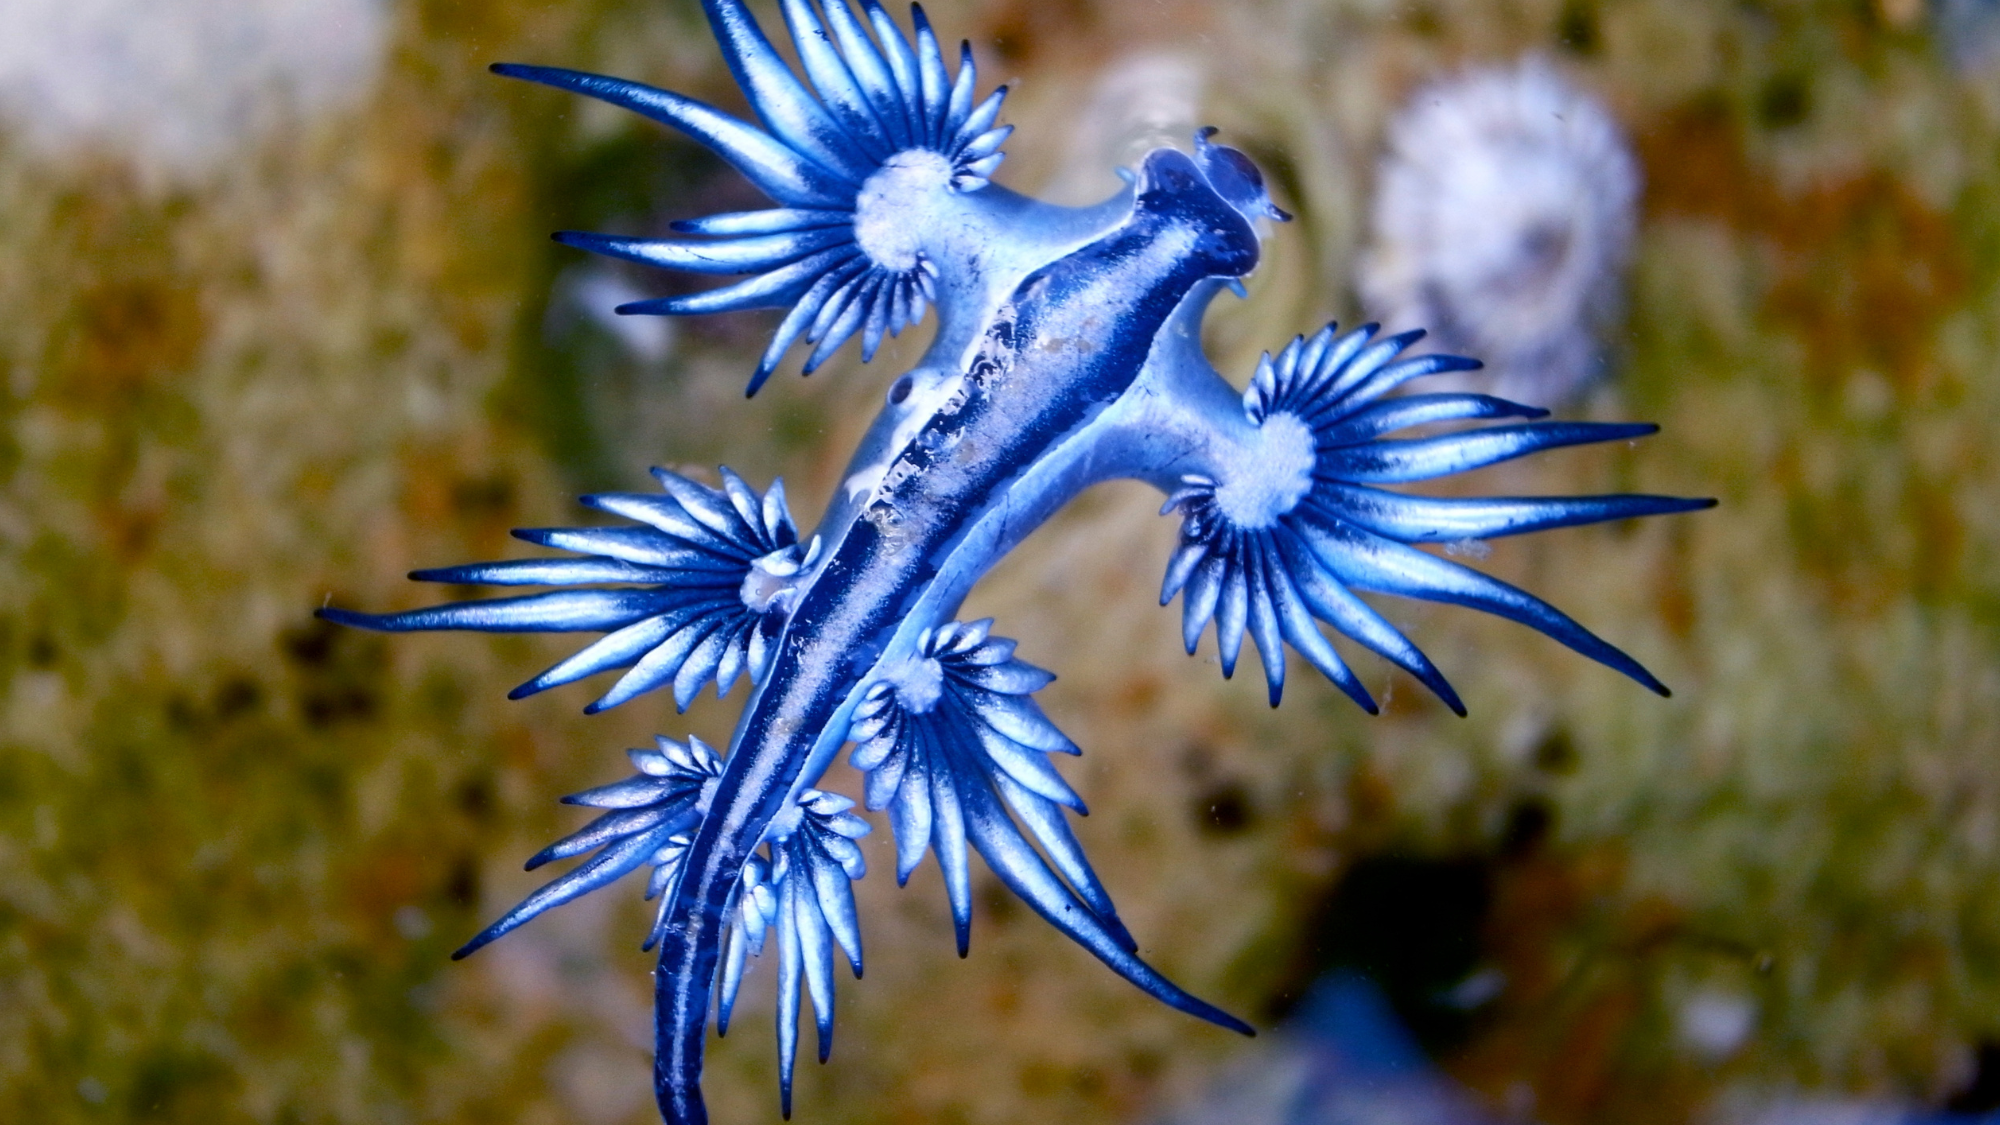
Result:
pixel 879 111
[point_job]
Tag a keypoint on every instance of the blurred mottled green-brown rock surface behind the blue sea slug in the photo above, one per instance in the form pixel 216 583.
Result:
pixel 319 337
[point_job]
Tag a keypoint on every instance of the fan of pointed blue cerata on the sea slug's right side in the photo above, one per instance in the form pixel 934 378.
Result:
pixel 1251 568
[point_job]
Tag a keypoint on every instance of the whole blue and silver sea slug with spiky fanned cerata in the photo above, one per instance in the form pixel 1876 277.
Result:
pixel 1067 353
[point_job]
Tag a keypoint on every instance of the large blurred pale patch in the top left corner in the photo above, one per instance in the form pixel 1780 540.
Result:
pixel 179 85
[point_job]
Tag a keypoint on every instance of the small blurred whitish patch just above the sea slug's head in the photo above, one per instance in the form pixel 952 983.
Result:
pixel 1141 103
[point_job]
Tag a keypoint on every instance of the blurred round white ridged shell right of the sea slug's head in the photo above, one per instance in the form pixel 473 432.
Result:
pixel 1503 223
